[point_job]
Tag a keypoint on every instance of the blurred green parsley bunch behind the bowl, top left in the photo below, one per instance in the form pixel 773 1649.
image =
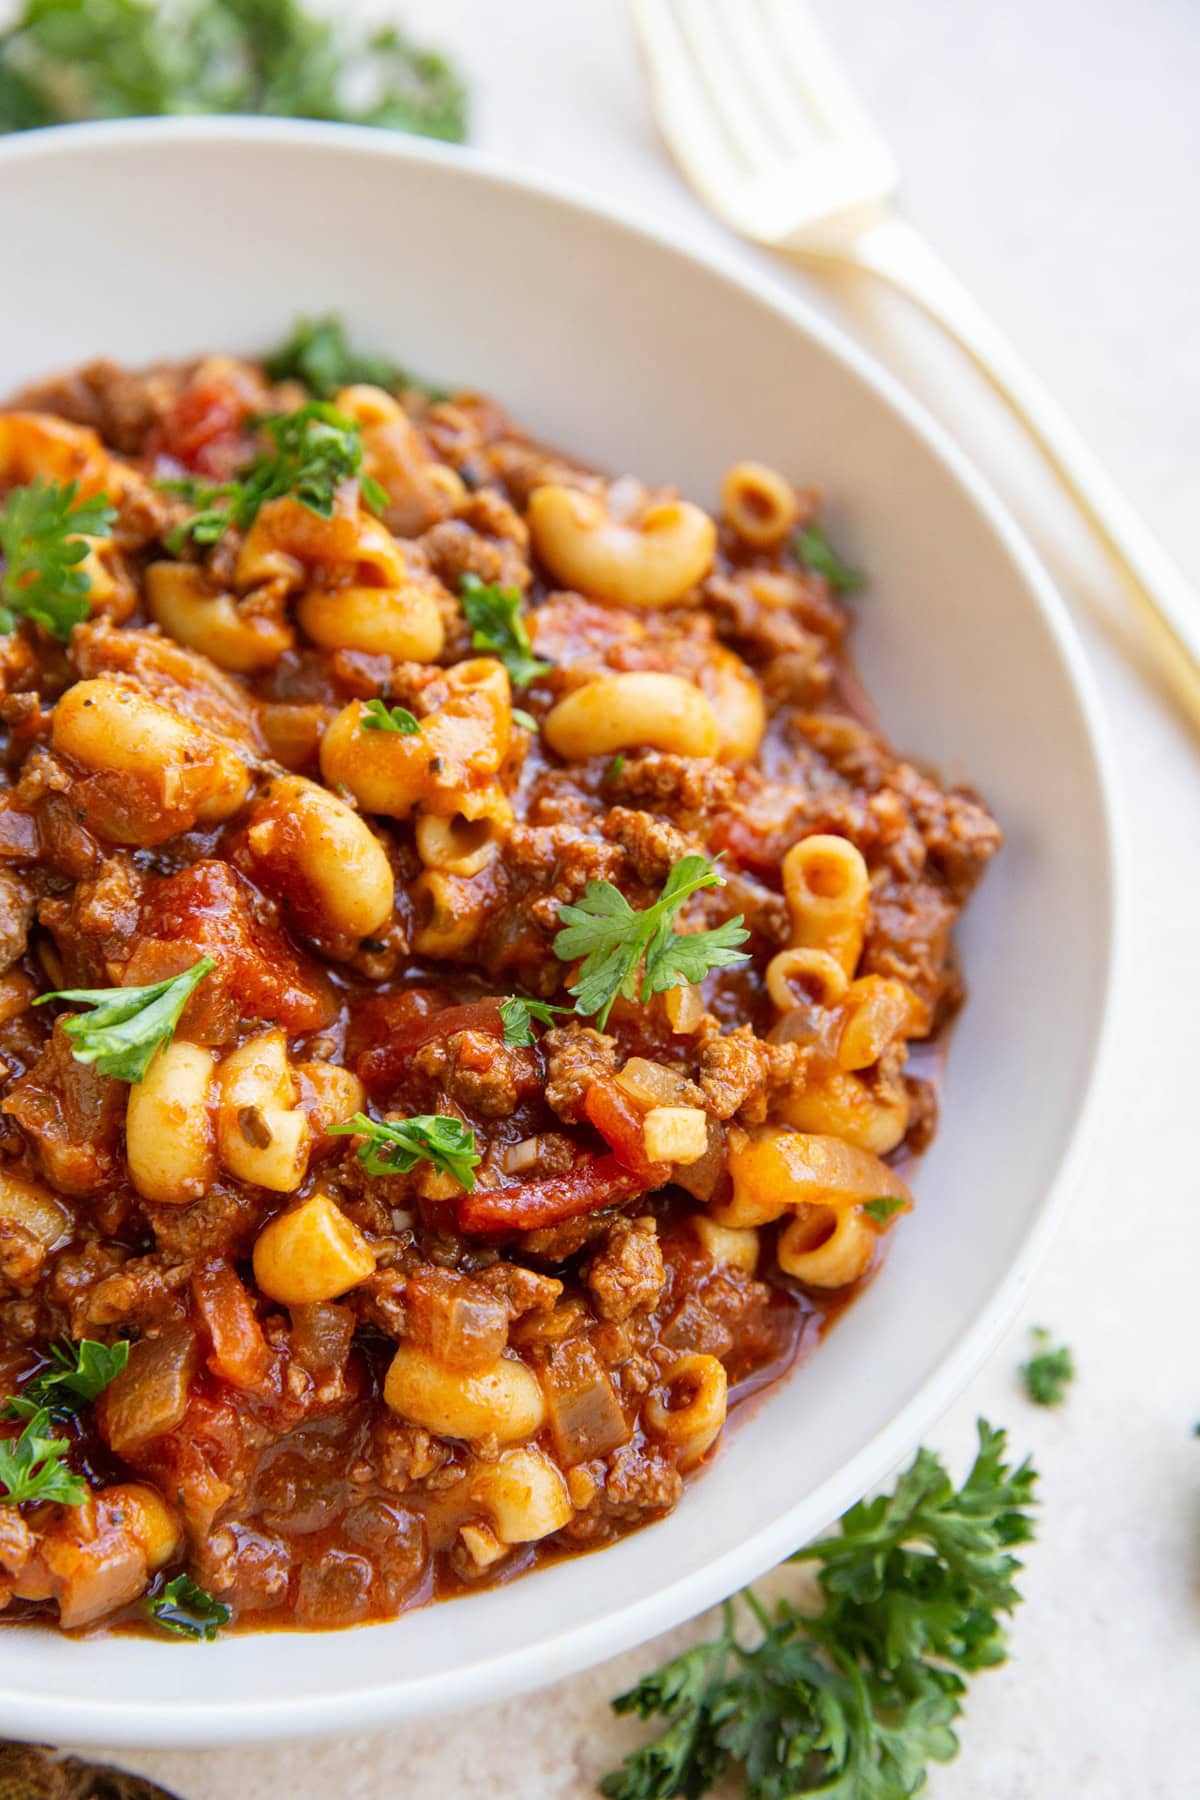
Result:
pixel 64 60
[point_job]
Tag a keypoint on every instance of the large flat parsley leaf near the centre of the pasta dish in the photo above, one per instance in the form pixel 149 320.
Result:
pixel 616 942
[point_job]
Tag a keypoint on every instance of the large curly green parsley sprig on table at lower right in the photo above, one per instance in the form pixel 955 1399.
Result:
pixel 857 1700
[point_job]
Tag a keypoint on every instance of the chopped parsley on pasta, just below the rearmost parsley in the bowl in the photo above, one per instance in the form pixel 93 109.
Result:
pixel 312 453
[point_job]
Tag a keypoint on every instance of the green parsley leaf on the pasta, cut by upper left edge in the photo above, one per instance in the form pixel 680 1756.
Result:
pixel 44 534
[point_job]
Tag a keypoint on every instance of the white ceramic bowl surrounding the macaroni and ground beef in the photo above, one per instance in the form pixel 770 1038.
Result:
pixel 168 238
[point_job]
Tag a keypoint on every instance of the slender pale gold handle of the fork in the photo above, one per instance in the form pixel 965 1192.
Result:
pixel 899 255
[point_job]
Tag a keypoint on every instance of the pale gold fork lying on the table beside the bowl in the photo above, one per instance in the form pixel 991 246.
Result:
pixel 767 129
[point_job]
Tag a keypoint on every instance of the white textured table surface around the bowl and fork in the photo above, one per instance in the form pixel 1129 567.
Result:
pixel 1050 152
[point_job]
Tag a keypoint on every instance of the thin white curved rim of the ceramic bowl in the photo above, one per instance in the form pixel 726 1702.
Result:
pixel 550 1659
